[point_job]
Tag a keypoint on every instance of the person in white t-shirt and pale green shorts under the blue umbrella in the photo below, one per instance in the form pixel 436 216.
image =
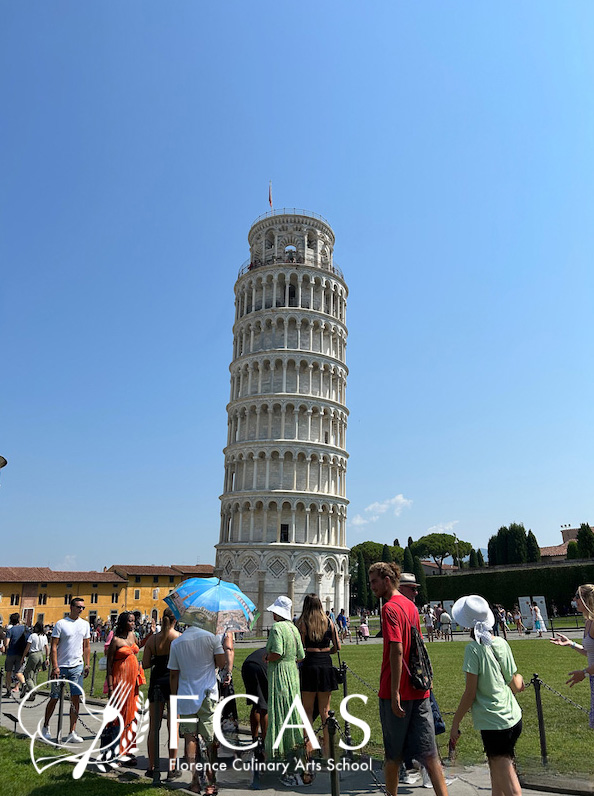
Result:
pixel 192 660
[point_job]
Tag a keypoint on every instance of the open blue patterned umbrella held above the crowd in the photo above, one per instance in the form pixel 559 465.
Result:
pixel 212 604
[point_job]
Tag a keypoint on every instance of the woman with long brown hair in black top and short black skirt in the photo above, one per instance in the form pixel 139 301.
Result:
pixel 318 675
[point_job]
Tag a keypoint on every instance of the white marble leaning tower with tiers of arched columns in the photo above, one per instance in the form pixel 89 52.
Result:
pixel 283 507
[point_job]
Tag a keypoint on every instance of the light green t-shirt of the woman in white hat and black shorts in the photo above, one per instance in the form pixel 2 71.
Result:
pixel 495 706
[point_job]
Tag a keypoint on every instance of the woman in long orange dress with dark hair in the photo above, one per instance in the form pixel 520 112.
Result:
pixel 124 666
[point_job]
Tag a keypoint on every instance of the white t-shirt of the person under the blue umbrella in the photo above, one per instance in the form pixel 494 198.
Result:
pixel 192 654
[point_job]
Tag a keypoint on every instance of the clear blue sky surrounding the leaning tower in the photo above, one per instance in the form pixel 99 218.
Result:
pixel 451 148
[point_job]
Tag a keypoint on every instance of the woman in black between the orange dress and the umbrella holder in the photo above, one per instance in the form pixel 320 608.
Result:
pixel 155 657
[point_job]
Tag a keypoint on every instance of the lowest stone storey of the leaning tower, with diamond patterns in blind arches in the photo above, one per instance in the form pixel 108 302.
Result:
pixel 263 572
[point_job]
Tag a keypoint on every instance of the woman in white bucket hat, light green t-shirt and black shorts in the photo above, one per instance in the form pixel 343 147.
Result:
pixel 492 680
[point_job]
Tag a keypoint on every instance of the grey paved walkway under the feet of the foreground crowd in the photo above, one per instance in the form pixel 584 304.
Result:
pixel 237 778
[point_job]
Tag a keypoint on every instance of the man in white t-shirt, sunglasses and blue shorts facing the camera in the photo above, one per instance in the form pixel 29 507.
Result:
pixel 69 655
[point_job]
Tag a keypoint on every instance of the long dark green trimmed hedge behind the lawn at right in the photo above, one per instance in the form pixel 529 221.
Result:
pixel 554 583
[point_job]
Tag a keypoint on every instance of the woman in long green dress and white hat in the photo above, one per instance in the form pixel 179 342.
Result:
pixel 284 649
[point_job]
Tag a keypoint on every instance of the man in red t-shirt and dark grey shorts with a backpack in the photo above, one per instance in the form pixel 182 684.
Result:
pixel 405 712
